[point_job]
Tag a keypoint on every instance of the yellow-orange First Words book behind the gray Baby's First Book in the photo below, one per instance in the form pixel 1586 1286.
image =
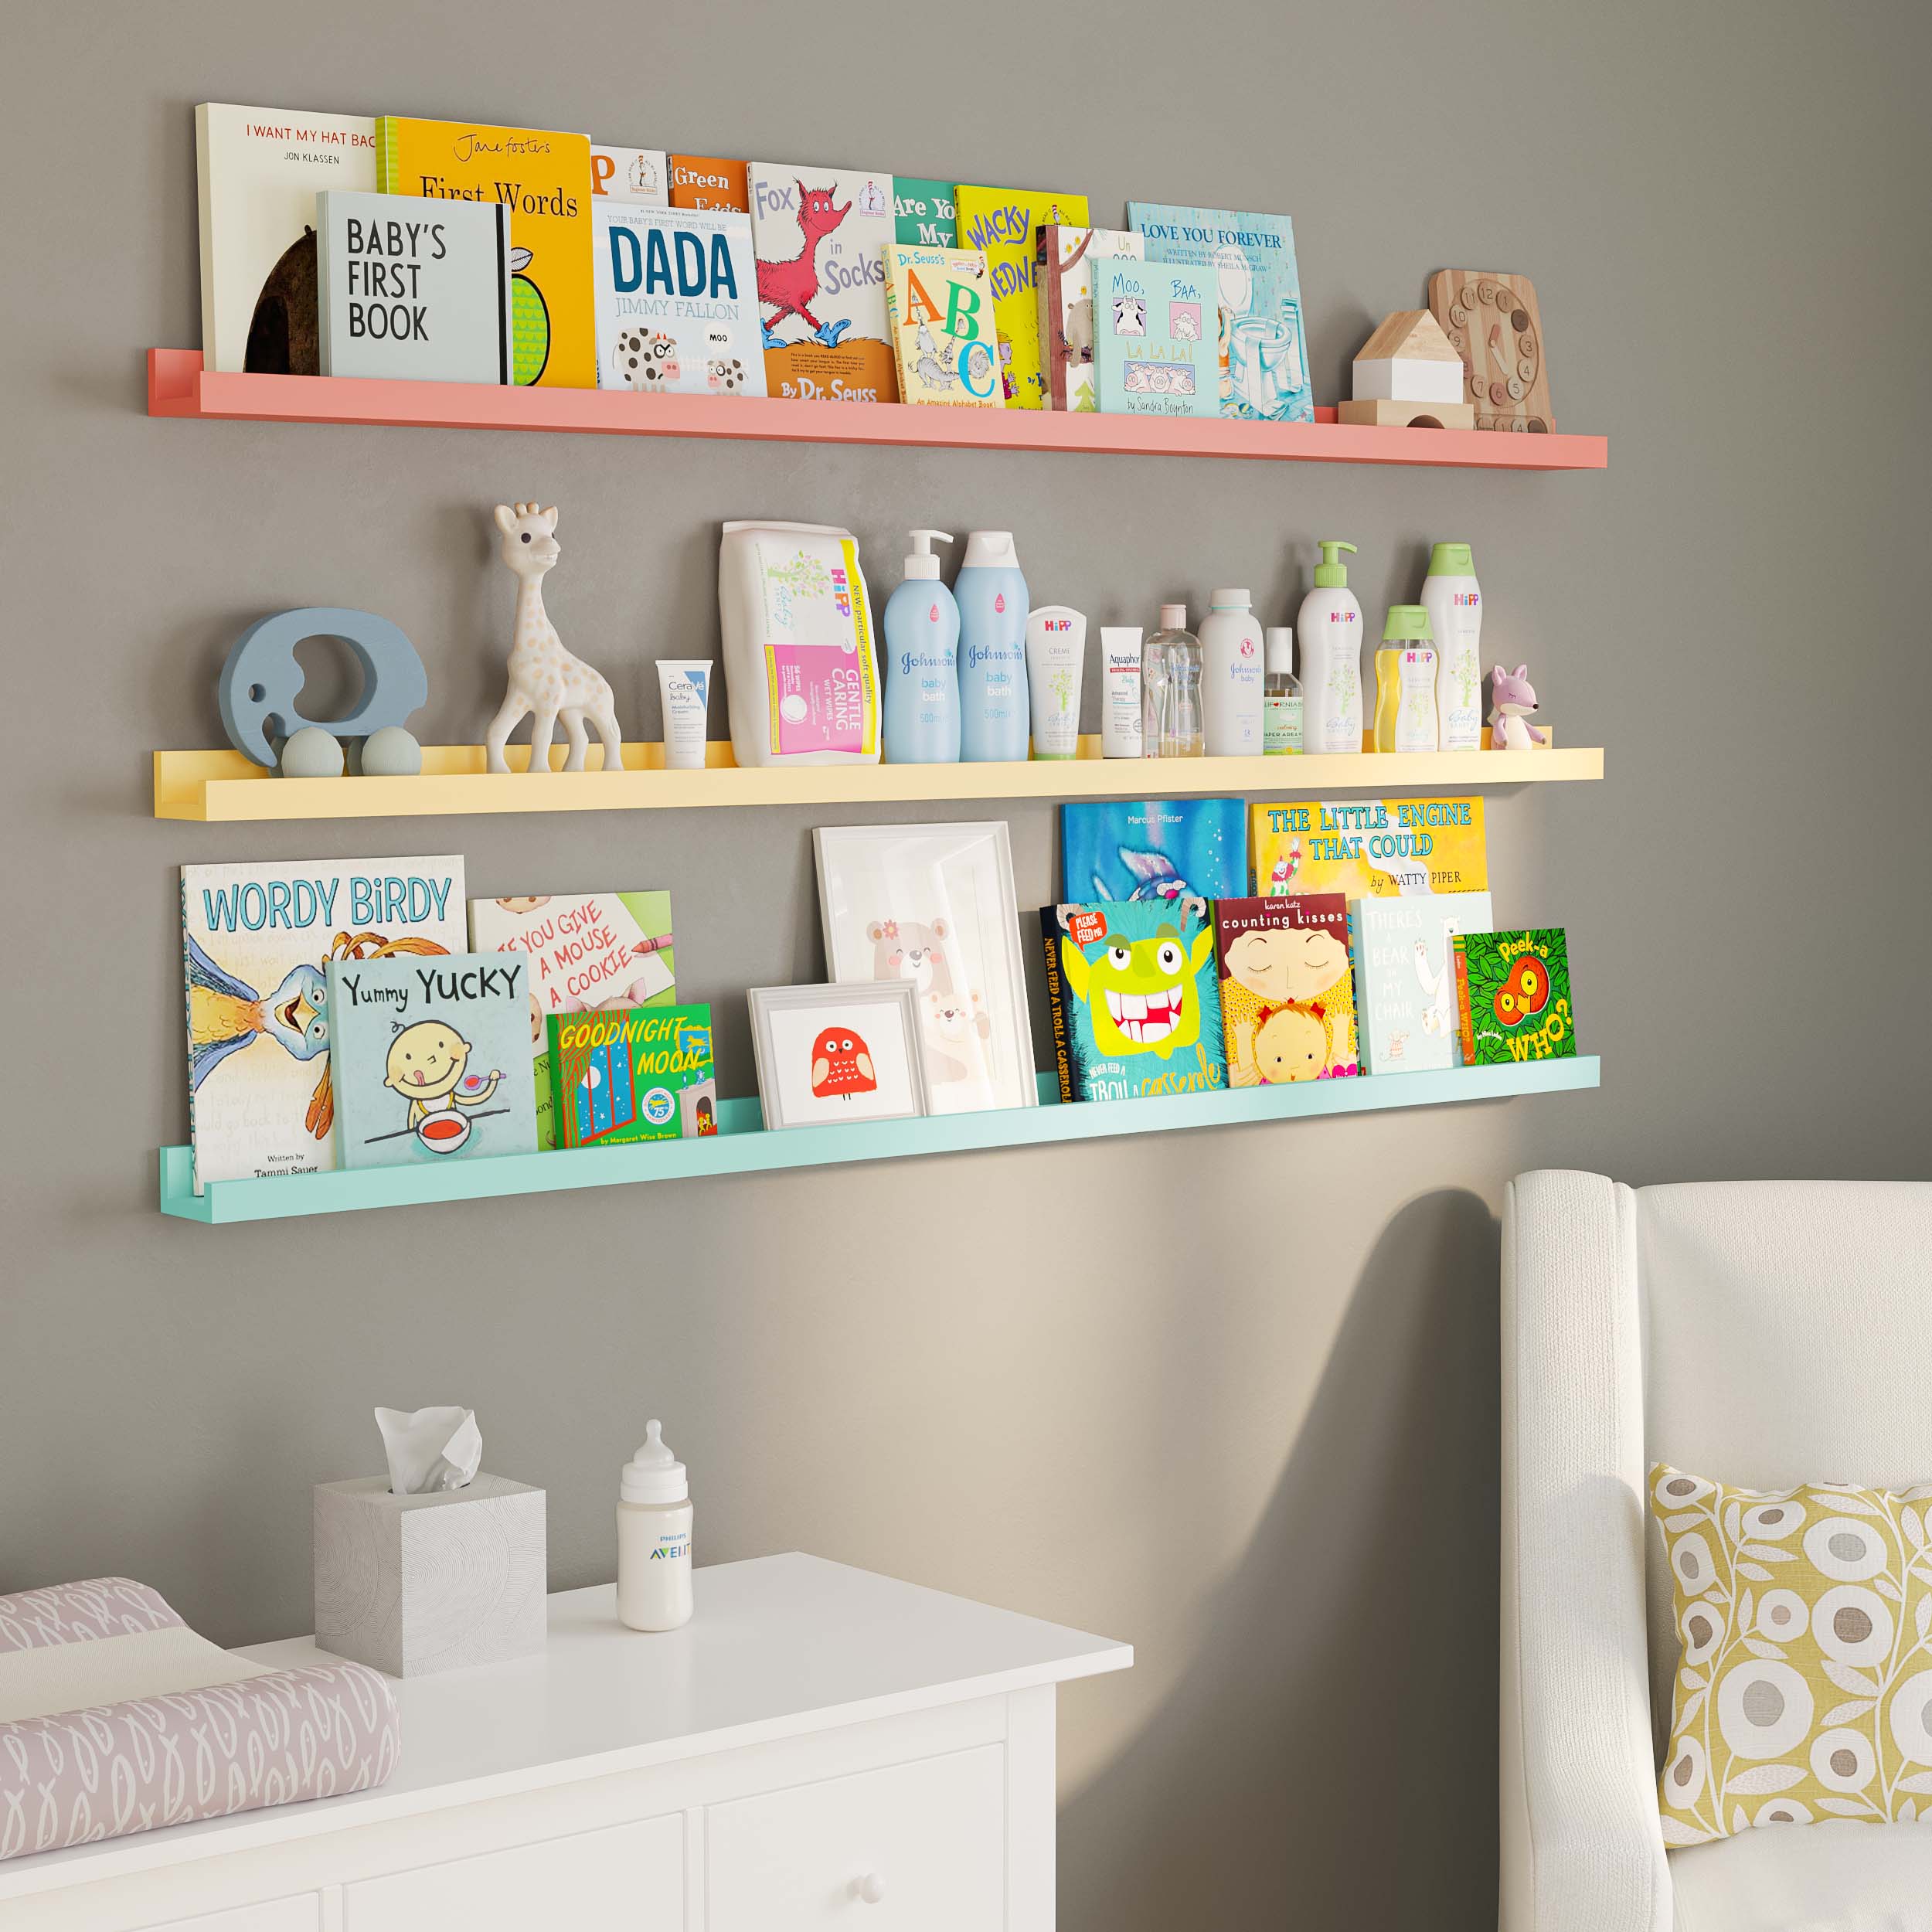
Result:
pixel 544 179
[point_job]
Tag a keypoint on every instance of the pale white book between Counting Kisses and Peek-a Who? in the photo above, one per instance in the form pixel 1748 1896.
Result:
pixel 1406 977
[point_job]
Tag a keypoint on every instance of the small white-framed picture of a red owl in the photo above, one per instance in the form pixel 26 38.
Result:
pixel 832 1056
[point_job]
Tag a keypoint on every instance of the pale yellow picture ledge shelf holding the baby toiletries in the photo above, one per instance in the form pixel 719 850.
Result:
pixel 227 787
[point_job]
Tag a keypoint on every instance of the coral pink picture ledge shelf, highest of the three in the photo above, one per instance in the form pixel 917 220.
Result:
pixel 179 385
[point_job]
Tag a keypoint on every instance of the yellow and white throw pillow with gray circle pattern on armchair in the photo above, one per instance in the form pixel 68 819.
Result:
pixel 1805 1684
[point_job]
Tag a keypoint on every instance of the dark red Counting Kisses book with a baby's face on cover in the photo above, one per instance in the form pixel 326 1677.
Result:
pixel 1288 998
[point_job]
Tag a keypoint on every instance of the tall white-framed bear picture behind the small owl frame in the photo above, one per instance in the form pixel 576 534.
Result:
pixel 934 907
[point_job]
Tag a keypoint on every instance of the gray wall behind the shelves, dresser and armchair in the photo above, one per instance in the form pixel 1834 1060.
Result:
pixel 1228 1396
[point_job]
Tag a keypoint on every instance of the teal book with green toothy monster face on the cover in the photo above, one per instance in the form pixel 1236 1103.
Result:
pixel 1133 996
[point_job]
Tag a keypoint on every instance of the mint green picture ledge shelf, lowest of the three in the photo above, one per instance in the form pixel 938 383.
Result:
pixel 743 1147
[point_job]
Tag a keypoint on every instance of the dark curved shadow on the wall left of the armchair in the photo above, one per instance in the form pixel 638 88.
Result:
pixel 1330 1755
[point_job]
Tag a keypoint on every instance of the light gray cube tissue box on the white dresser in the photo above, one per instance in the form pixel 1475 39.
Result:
pixel 430 1583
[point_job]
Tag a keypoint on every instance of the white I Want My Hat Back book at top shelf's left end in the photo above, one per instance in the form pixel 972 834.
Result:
pixel 258 173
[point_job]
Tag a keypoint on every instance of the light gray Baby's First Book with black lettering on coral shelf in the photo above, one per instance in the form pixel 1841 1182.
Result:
pixel 414 289
